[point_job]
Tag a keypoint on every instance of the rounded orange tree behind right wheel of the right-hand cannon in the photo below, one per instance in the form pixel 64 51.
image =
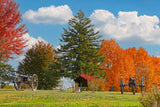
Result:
pixel 143 67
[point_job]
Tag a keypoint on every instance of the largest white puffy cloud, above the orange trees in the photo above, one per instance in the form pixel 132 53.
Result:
pixel 128 26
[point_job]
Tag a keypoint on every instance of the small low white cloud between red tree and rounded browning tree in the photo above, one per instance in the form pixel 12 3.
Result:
pixel 31 41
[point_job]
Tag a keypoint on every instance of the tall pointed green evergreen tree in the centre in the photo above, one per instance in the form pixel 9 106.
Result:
pixel 80 48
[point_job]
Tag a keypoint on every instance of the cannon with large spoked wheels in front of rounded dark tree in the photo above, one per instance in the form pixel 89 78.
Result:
pixel 32 81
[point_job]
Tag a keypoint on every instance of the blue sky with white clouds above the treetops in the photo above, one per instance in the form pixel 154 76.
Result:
pixel 132 23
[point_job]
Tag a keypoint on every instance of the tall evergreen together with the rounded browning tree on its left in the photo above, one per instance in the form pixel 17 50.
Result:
pixel 79 52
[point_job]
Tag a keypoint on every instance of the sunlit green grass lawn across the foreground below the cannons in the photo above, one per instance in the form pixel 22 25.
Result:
pixel 66 99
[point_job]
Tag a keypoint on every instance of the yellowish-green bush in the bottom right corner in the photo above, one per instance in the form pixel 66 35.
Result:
pixel 150 98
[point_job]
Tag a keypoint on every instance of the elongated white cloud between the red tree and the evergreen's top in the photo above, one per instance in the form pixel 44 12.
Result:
pixel 49 15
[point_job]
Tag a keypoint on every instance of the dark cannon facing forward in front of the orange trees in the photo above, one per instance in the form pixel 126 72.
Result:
pixel 132 83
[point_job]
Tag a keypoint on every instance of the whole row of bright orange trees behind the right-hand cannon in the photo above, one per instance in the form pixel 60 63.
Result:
pixel 128 63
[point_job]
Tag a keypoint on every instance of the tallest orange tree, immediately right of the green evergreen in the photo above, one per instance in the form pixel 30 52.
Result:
pixel 112 52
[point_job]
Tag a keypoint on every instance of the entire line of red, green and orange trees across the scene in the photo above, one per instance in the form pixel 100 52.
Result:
pixel 81 53
